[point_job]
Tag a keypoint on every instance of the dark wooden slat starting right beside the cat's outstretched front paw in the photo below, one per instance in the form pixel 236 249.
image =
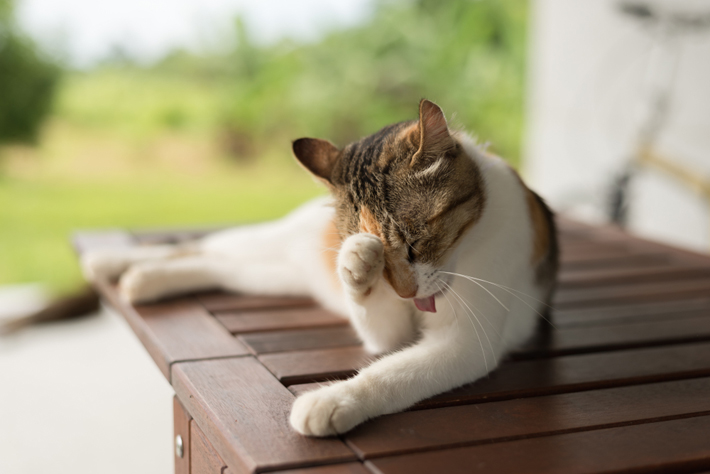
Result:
pixel 514 419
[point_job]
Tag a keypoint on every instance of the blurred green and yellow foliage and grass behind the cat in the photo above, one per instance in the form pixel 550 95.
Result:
pixel 205 139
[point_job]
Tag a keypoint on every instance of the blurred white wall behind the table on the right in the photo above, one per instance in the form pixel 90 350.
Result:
pixel 586 89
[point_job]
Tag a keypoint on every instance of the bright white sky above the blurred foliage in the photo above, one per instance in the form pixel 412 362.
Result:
pixel 85 31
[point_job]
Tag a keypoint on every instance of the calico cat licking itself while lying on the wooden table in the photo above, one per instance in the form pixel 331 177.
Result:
pixel 435 250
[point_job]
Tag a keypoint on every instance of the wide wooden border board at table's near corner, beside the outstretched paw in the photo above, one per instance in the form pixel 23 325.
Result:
pixel 243 411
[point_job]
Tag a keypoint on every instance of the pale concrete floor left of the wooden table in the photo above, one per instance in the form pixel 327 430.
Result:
pixel 80 397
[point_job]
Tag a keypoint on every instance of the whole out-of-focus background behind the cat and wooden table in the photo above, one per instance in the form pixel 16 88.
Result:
pixel 181 113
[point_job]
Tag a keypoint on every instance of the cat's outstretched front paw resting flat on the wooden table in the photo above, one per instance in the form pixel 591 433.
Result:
pixel 326 411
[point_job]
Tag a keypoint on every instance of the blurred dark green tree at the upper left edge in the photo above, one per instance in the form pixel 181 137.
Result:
pixel 27 82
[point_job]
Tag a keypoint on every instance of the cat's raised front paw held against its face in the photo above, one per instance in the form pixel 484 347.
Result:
pixel 361 261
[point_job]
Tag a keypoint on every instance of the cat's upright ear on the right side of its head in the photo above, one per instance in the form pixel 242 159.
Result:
pixel 433 137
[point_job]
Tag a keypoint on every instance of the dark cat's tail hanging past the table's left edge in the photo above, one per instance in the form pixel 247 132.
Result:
pixel 75 305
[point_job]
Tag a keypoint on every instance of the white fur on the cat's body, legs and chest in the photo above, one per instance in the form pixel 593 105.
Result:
pixel 475 325
